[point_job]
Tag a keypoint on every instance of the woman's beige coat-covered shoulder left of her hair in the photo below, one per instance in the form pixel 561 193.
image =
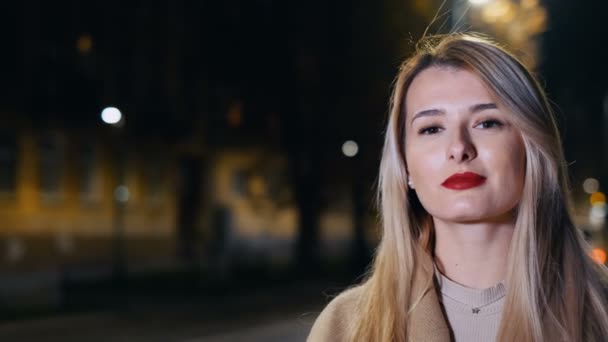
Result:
pixel 334 321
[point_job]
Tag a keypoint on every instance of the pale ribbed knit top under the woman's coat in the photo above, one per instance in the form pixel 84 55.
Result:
pixel 472 314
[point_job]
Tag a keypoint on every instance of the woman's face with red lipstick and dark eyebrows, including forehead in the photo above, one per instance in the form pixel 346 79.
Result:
pixel 465 158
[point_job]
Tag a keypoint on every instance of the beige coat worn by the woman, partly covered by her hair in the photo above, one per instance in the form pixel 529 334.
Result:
pixel 427 322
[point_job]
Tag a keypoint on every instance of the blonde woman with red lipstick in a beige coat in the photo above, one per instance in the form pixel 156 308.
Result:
pixel 478 243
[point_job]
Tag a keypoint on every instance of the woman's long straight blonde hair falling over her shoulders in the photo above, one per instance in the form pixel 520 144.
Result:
pixel 555 291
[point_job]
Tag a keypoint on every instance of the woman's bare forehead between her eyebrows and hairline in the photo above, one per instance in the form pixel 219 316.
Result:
pixel 446 88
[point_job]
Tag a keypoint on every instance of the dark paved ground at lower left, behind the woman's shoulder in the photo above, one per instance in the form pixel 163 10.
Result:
pixel 273 313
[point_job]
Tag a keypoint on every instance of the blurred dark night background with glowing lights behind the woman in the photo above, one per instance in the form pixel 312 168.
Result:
pixel 205 170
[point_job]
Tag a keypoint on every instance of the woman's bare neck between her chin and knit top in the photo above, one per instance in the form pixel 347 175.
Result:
pixel 473 254
